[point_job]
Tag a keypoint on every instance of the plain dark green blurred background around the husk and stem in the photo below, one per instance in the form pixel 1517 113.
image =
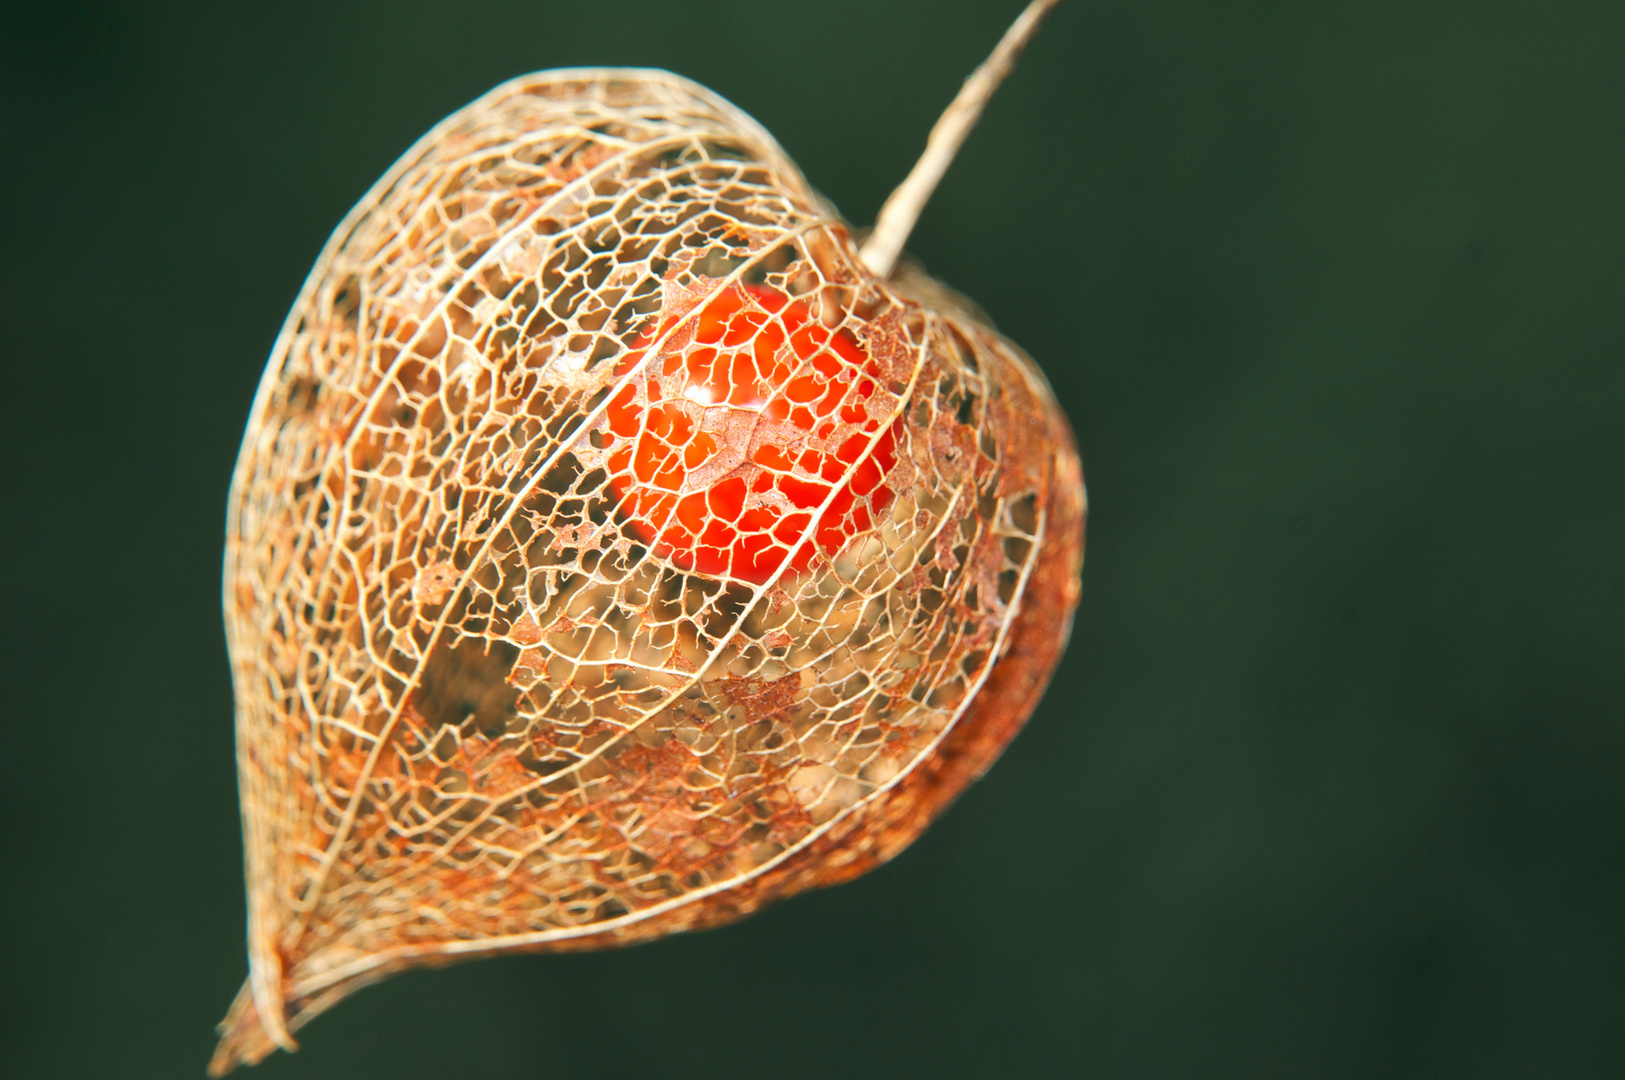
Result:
pixel 1330 784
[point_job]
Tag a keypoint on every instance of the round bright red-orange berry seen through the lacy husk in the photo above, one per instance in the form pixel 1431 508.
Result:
pixel 750 423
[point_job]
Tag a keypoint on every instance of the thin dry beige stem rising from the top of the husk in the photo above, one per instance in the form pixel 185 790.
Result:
pixel 903 210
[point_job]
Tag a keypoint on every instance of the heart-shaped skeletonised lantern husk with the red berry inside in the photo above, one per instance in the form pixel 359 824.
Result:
pixel 613 553
